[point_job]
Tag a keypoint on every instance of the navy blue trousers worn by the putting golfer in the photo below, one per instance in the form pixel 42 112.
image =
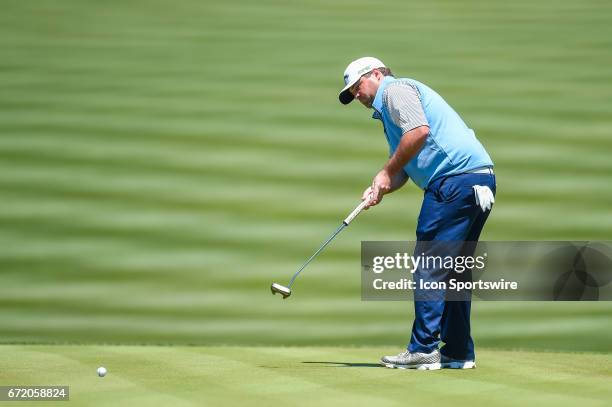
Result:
pixel 449 213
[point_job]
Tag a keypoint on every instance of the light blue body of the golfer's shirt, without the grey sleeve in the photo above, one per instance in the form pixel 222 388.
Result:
pixel 451 147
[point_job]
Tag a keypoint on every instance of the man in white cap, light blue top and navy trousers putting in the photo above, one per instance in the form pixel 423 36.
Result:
pixel 430 144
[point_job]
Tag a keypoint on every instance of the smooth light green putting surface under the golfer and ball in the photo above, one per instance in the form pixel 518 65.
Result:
pixel 141 375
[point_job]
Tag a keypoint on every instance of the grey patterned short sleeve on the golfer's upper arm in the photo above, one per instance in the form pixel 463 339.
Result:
pixel 405 108
